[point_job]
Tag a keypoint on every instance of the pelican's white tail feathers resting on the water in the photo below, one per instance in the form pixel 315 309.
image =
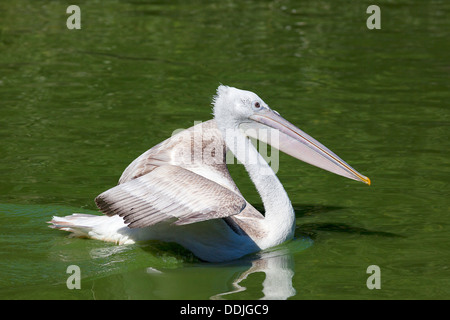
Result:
pixel 105 228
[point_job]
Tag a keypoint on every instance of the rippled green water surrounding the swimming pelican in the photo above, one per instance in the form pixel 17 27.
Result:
pixel 77 106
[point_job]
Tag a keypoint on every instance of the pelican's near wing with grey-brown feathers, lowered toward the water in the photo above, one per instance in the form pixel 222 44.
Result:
pixel 169 192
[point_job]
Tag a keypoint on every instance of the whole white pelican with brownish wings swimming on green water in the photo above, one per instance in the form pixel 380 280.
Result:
pixel 181 190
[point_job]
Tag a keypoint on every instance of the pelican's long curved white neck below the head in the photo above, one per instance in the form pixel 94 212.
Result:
pixel 279 219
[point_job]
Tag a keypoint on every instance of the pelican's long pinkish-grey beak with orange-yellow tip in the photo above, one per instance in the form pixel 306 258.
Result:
pixel 295 142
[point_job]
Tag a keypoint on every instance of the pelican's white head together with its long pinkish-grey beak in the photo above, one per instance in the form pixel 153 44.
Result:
pixel 235 108
